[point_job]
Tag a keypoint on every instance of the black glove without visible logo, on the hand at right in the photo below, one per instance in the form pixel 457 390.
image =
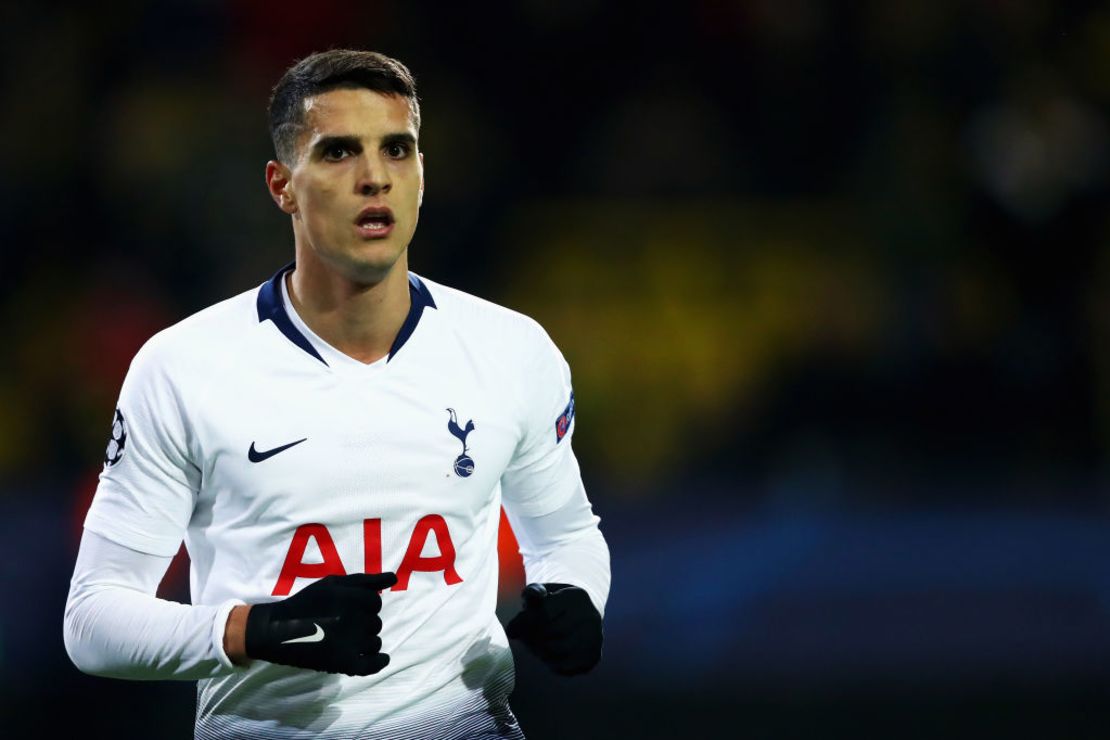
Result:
pixel 561 626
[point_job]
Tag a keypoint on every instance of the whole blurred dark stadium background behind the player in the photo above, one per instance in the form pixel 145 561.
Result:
pixel 833 280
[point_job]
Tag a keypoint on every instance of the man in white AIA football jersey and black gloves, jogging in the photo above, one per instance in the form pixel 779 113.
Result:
pixel 335 449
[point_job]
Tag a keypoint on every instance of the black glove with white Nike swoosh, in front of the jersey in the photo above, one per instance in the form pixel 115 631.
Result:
pixel 331 626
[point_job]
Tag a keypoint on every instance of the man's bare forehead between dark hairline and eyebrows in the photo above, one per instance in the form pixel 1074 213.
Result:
pixel 357 113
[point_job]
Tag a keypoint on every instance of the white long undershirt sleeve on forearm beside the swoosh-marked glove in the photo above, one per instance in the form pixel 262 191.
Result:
pixel 117 627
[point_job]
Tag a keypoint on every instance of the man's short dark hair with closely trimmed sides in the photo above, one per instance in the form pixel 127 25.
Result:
pixel 331 70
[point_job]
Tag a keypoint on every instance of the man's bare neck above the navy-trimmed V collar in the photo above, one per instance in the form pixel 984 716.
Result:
pixel 359 320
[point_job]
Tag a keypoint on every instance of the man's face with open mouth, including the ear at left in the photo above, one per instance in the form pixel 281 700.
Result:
pixel 356 188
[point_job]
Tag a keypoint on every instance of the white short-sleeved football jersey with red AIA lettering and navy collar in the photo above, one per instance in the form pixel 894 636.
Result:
pixel 279 461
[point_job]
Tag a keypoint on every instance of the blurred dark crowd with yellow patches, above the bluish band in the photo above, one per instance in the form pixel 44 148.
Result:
pixel 855 251
